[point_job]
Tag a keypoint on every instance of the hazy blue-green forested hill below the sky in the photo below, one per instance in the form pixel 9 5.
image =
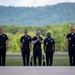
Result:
pixel 31 16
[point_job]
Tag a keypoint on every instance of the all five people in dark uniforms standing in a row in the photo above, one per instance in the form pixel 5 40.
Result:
pixel 26 43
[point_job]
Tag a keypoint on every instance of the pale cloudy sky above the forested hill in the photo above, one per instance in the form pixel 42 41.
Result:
pixel 30 3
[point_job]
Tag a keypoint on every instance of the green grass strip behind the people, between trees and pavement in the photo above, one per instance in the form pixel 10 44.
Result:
pixel 16 60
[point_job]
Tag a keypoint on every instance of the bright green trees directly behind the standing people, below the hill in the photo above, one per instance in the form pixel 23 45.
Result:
pixel 58 32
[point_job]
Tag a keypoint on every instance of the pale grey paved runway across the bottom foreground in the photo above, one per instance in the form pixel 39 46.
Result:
pixel 54 70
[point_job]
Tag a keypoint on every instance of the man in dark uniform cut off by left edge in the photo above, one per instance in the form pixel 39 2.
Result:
pixel 3 47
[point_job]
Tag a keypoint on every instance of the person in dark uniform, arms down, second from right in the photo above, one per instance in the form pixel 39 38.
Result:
pixel 49 49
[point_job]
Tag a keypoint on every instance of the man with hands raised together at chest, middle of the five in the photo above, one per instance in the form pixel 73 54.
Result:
pixel 37 50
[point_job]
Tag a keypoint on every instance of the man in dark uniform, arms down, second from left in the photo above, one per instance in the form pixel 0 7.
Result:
pixel 25 45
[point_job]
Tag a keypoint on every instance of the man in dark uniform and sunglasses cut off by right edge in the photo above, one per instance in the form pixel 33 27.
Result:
pixel 70 44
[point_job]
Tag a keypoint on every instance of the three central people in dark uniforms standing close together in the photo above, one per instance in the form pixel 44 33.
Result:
pixel 26 46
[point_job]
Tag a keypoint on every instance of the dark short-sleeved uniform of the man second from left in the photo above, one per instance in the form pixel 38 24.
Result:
pixel 25 49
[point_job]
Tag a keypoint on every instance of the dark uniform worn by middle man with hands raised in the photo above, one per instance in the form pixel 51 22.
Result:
pixel 37 50
